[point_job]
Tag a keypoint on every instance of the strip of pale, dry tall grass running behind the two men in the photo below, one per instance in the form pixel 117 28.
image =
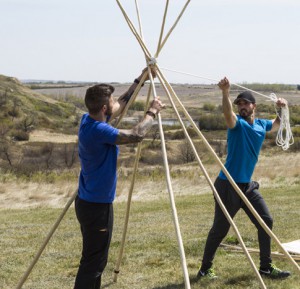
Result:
pixel 274 170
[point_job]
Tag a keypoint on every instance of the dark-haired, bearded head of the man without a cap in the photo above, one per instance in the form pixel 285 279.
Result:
pixel 96 96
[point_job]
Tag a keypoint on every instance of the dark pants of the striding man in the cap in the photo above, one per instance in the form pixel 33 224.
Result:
pixel 233 203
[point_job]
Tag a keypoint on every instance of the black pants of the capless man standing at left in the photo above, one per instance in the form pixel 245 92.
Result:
pixel 96 224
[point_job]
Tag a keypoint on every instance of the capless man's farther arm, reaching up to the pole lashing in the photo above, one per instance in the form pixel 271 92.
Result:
pixel 120 104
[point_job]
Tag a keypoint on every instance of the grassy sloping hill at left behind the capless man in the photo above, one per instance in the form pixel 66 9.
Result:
pixel 21 106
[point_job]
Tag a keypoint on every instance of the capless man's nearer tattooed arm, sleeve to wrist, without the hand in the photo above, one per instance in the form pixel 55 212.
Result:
pixel 136 134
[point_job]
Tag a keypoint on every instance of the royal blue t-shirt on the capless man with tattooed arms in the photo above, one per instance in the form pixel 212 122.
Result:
pixel 98 157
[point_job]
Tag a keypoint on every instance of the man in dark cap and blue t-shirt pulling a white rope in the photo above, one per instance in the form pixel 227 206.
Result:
pixel 245 136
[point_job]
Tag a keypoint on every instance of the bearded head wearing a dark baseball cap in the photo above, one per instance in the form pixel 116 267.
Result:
pixel 246 105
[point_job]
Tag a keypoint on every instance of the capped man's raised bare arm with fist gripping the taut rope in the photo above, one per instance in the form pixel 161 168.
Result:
pixel 230 117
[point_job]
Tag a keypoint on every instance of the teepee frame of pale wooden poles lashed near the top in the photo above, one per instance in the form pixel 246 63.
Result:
pixel 151 61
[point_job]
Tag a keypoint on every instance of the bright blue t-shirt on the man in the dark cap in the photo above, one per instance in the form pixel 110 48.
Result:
pixel 244 144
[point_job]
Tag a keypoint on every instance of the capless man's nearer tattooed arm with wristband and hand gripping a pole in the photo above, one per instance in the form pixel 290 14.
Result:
pixel 137 133
